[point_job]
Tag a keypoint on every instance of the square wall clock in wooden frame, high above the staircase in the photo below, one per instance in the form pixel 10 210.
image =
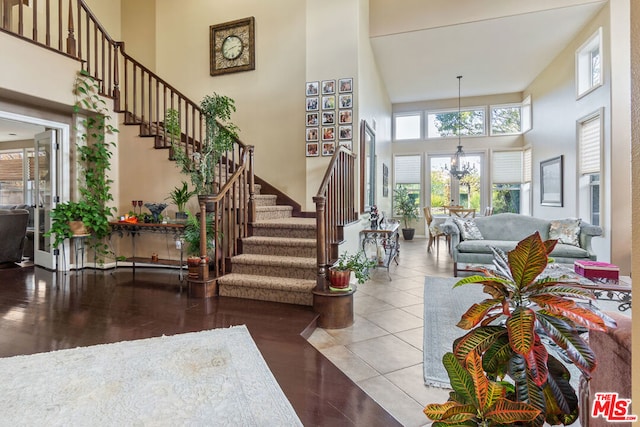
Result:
pixel 232 46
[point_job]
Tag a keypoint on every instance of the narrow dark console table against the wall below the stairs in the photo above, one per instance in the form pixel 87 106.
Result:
pixel 135 229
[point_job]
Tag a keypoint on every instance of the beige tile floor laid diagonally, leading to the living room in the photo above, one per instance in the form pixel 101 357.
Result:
pixel 382 351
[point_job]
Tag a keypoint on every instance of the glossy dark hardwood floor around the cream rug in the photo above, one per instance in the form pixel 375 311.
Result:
pixel 43 311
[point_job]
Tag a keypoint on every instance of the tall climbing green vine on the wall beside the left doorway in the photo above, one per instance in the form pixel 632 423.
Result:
pixel 94 161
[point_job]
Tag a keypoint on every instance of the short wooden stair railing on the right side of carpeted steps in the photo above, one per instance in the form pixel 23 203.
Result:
pixel 335 208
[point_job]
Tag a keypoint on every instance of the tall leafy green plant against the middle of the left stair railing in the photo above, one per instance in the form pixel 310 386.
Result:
pixel 220 136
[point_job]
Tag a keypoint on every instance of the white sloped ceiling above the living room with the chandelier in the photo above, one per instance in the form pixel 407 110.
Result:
pixel 495 53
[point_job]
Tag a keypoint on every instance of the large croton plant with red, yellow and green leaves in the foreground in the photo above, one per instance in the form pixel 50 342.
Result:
pixel 509 332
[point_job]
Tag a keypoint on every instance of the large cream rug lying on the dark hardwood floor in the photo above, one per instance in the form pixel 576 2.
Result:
pixel 209 378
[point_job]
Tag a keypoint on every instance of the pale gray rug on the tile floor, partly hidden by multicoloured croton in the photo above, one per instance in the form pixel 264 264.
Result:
pixel 443 307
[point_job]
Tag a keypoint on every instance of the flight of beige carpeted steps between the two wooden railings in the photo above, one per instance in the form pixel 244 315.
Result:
pixel 278 262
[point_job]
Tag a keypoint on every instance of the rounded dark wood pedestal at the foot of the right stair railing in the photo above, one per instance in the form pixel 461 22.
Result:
pixel 335 308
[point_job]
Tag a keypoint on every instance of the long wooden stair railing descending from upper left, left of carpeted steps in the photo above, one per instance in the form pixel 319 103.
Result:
pixel 69 27
